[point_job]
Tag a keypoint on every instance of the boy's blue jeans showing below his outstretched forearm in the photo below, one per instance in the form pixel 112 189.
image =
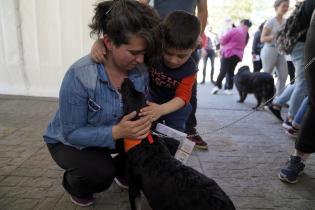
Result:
pixel 177 119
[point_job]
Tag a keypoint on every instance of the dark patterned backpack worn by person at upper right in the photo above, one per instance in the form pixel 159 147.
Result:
pixel 291 31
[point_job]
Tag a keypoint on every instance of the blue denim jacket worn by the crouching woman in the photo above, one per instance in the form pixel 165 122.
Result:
pixel 89 106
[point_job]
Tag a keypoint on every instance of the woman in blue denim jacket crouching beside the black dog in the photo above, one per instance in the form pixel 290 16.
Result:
pixel 83 133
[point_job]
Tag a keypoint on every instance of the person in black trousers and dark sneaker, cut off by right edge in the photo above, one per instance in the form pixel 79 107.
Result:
pixel 305 144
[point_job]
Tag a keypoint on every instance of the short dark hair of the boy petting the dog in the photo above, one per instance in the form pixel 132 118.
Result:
pixel 180 30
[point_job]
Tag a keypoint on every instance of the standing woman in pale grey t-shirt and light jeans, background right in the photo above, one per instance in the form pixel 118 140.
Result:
pixel 270 57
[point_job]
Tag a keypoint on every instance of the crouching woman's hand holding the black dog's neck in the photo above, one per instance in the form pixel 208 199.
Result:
pixel 138 129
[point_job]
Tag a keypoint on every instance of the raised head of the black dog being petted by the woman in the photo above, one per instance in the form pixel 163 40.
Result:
pixel 132 99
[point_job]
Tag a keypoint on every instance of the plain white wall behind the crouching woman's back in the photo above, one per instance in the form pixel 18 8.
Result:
pixel 39 39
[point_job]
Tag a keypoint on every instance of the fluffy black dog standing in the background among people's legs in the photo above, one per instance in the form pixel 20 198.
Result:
pixel 261 84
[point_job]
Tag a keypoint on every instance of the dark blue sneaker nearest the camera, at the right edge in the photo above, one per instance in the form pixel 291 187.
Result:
pixel 294 168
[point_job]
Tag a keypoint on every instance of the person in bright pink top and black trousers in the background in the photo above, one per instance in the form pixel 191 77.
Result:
pixel 233 44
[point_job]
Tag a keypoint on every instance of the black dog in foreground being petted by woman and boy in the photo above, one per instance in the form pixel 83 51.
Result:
pixel 166 182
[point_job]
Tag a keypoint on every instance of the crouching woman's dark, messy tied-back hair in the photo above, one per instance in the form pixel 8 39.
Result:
pixel 120 19
